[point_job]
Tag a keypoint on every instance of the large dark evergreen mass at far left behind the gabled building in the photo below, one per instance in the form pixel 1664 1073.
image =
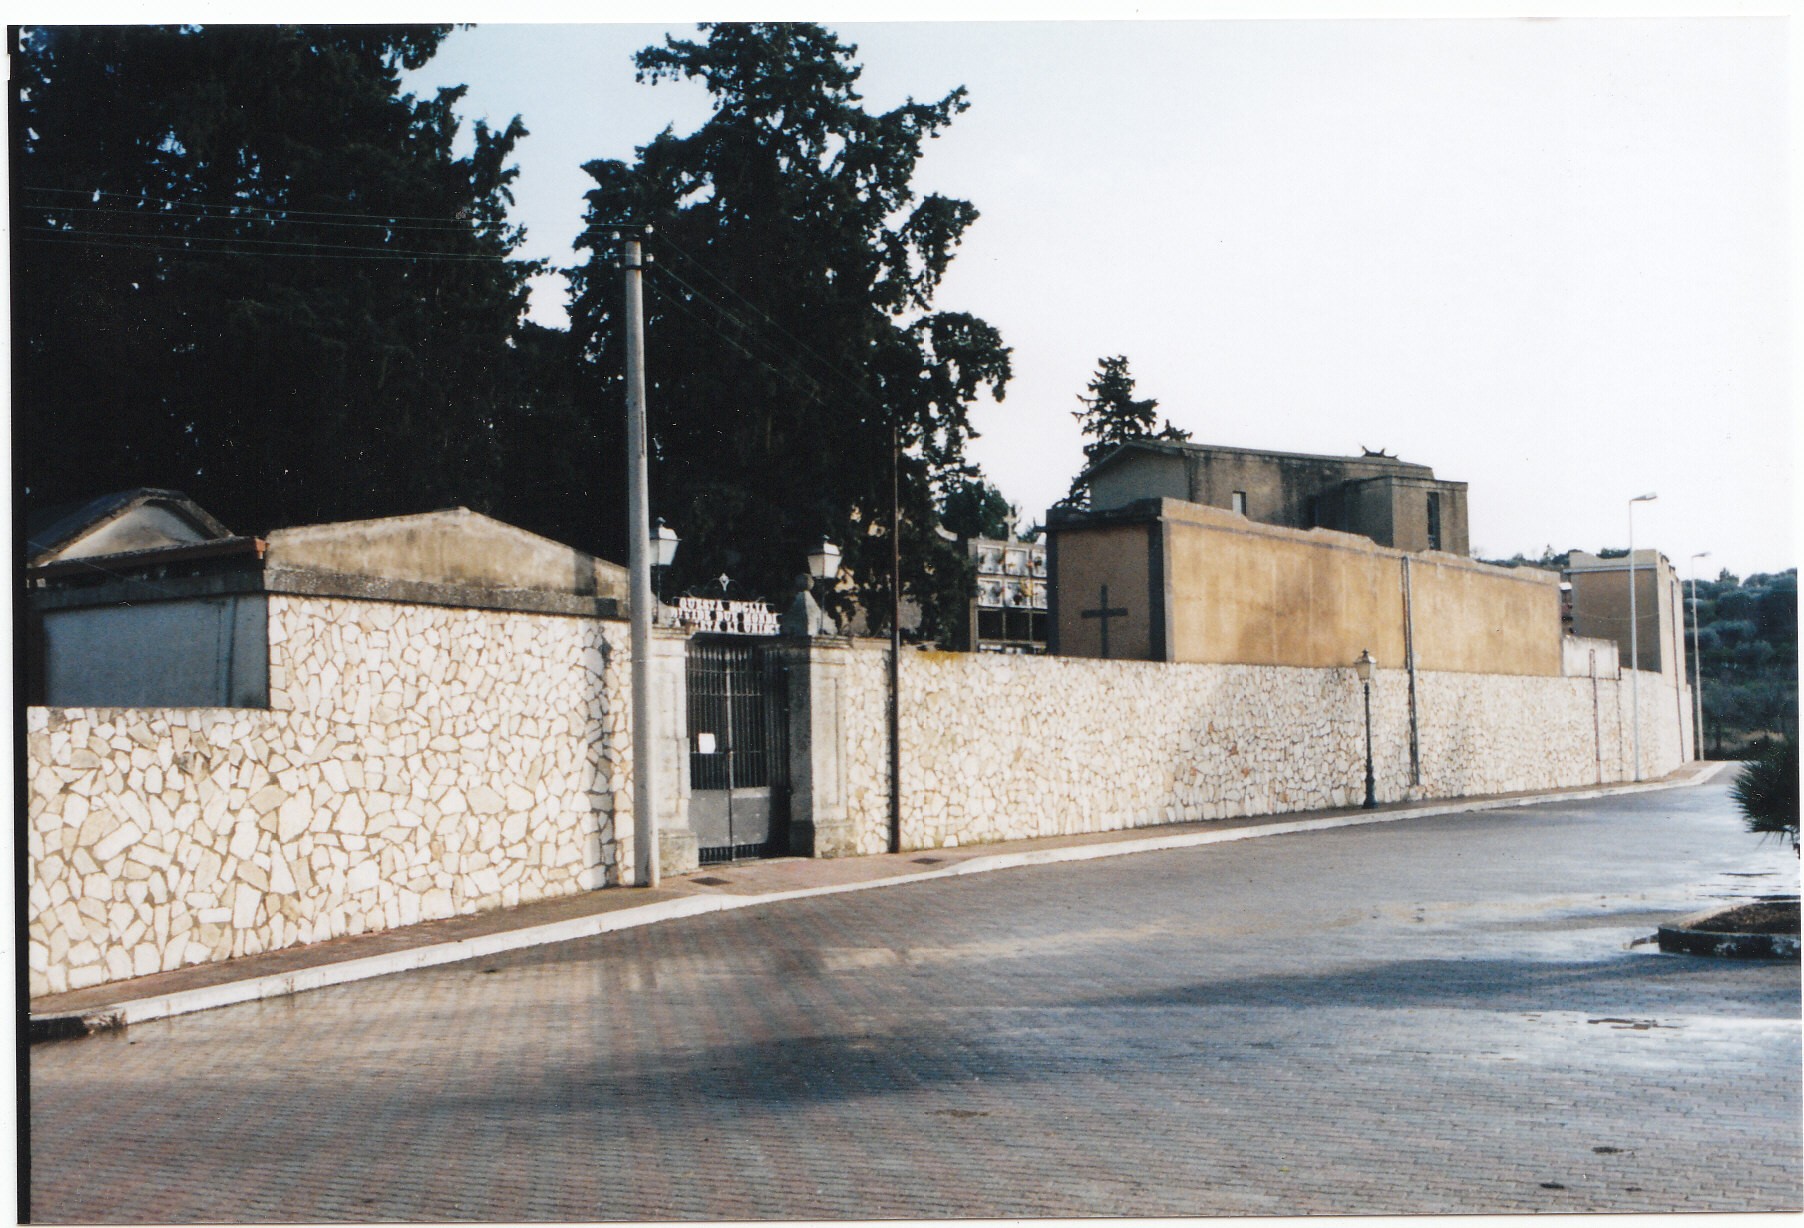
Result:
pixel 250 268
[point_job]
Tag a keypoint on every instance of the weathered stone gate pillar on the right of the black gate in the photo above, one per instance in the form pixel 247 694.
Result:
pixel 820 825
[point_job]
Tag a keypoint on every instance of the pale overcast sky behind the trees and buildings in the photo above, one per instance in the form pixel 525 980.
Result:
pixel 1547 259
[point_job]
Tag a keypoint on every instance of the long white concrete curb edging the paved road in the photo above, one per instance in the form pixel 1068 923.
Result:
pixel 387 964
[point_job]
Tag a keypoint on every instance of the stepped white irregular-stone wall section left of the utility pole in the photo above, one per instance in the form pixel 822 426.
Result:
pixel 414 764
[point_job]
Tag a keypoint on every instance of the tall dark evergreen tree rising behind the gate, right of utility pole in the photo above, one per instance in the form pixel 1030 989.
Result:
pixel 791 329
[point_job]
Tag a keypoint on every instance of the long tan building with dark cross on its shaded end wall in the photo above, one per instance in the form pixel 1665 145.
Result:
pixel 1175 582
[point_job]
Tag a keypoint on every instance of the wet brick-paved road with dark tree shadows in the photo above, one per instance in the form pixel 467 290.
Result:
pixel 1431 1016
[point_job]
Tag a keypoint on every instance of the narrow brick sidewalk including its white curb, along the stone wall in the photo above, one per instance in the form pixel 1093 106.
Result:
pixel 710 890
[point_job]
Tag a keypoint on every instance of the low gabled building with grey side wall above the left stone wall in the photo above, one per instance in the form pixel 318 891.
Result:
pixel 143 600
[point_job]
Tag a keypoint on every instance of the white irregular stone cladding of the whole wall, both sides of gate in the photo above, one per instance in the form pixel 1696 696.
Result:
pixel 427 762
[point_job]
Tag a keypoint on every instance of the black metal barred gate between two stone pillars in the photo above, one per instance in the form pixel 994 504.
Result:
pixel 739 749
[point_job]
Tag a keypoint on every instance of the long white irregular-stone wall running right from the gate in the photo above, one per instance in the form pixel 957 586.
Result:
pixel 1011 747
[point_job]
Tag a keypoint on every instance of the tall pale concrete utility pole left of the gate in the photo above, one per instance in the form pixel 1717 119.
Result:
pixel 640 567
